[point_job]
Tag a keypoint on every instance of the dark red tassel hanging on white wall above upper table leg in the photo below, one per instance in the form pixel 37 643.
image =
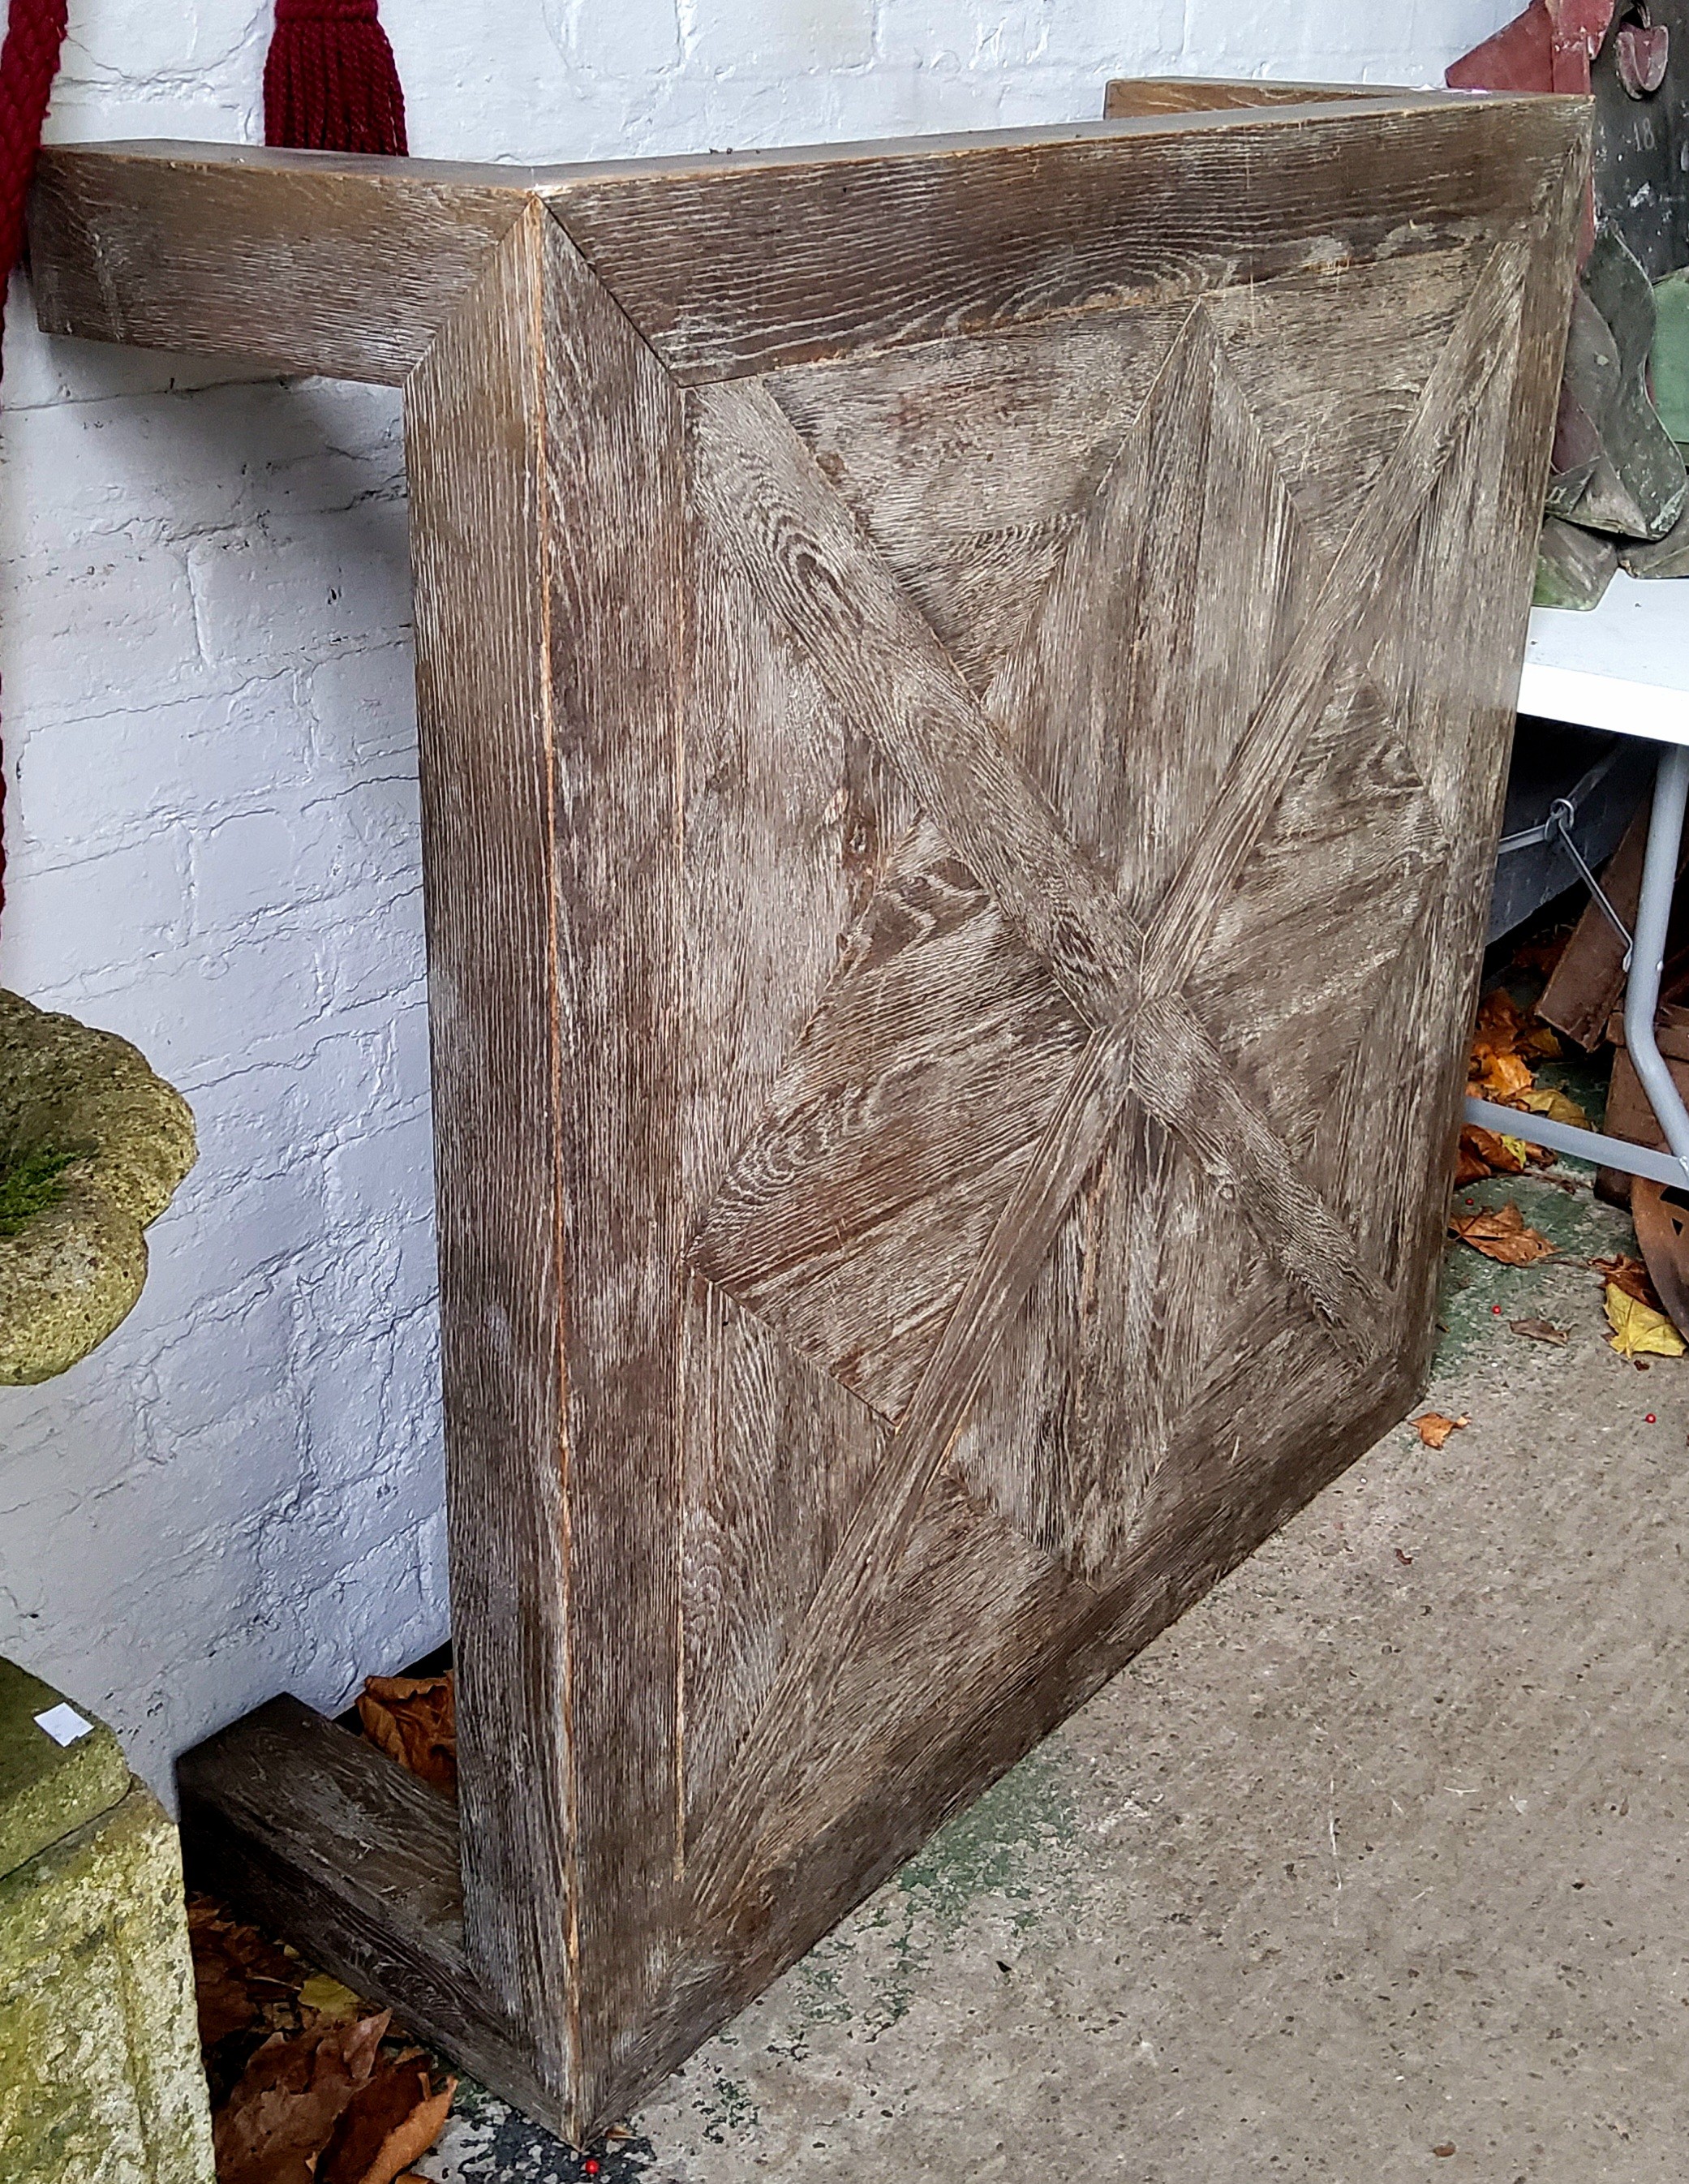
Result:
pixel 331 82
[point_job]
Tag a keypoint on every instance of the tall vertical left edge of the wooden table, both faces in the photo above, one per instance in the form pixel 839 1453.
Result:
pixel 547 468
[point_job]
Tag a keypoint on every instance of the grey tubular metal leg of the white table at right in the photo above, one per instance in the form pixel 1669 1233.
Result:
pixel 1642 1001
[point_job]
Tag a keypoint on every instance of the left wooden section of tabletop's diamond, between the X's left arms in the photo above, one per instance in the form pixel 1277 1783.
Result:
pixel 914 1104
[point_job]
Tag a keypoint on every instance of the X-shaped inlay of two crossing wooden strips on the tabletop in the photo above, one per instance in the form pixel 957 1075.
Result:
pixel 816 575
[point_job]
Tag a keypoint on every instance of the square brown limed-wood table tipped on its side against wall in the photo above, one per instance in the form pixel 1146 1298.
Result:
pixel 965 700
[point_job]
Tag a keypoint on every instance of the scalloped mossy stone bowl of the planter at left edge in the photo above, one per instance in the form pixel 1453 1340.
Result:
pixel 93 1148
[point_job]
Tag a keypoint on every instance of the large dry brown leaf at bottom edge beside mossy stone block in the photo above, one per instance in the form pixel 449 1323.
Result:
pixel 292 2096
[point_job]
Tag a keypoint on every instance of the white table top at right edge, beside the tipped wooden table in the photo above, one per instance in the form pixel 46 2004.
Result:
pixel 1625 667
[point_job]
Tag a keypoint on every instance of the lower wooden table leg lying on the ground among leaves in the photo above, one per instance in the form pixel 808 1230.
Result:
pixel 355 1862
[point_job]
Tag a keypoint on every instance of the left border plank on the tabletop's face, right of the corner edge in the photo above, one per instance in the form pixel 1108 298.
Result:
pixel 615 479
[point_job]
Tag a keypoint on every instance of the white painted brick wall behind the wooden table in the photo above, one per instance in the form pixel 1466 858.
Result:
pixel 213 803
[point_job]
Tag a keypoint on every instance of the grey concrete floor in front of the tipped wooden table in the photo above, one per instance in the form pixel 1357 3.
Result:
pixel 1378 1853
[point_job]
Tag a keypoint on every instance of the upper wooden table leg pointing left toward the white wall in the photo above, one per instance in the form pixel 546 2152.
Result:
pixel 303 261
